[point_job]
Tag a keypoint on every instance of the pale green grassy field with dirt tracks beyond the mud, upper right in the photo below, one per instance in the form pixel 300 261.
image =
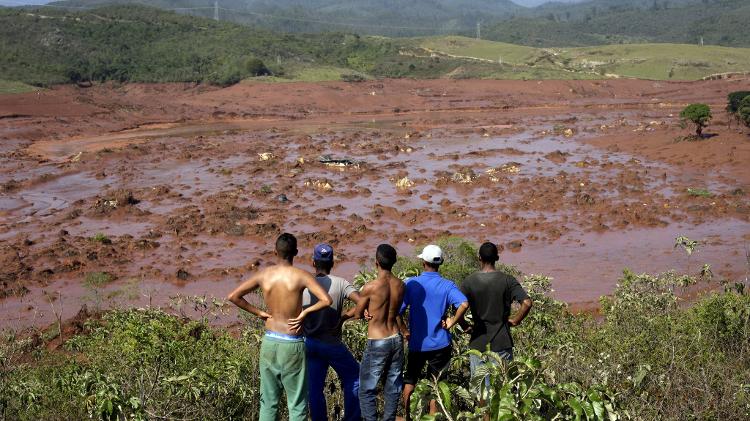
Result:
pixel 646 61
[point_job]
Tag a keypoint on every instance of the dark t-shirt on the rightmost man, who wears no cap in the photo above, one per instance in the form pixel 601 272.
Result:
pixel 490 295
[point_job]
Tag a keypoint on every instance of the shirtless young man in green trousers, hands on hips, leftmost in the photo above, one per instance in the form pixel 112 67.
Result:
pixel 282 354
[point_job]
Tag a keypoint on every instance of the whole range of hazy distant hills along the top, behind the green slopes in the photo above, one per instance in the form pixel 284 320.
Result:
pixel 556 24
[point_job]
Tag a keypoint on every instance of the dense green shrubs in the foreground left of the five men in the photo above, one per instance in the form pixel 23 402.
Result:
pixel 139 364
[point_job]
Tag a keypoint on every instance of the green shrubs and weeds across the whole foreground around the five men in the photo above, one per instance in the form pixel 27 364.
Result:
pixel 637 362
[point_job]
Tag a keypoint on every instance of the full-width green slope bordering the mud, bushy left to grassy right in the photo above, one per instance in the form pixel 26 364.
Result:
pixel 142 44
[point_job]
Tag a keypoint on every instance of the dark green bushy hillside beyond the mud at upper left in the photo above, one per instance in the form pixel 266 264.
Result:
pixel 133 43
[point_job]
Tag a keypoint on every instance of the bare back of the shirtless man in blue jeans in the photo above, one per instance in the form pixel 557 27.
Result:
pixel 384 297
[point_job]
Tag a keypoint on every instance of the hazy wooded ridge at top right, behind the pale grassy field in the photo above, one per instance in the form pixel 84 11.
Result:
pixel 717 22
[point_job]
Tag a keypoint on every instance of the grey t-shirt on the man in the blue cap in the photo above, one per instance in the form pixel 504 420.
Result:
pixel 324 325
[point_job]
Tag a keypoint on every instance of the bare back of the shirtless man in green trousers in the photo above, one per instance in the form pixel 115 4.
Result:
pixel 282 291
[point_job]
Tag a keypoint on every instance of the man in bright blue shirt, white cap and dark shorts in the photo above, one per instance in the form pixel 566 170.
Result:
pixel 428 296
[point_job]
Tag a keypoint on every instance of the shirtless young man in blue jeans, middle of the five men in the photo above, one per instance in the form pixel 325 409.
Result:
pixel 385 347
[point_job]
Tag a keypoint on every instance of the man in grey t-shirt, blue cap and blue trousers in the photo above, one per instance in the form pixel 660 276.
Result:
pixel 323 343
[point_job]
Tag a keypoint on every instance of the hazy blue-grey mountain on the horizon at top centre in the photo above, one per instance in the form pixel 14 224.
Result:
pixel 377 17
